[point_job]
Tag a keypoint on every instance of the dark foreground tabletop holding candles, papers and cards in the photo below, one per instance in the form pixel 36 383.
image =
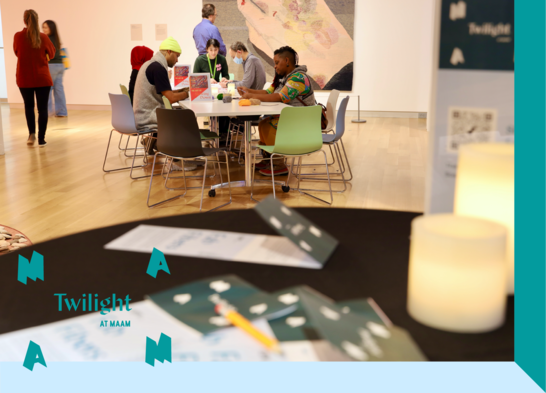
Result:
pixel 371 261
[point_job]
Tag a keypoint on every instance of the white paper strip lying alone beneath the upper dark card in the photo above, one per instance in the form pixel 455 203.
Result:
pixel 202 243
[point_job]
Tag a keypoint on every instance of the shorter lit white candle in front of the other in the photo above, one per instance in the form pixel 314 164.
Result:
pixel 457 273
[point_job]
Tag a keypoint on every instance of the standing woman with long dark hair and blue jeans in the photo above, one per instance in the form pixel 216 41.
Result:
pixel 56 69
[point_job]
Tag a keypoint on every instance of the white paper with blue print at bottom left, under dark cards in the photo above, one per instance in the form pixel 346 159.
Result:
pixel 82 339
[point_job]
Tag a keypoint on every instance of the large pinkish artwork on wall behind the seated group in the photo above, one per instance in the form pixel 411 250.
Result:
pixel 321 31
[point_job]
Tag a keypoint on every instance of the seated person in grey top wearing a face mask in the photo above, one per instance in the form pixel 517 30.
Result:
pixel 254 71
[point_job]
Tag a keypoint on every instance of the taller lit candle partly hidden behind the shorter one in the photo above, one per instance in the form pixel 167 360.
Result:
pixel 485 188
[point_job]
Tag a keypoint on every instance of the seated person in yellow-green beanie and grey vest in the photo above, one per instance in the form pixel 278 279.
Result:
pixel 152 85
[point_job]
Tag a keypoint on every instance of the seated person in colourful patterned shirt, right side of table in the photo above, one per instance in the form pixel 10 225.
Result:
pixel 291 86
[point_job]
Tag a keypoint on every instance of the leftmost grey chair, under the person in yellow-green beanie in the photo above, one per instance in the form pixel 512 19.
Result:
pixel 123 121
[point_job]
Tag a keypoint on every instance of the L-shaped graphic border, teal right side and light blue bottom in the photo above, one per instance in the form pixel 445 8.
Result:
pixel 400 377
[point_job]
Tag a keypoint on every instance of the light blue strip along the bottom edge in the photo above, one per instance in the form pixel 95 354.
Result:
pixel 457 377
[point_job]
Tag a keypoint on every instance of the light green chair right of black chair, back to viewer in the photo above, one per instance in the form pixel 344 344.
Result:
pixel 298 134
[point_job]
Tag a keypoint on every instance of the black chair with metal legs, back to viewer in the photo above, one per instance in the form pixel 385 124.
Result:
pixel 178 137
